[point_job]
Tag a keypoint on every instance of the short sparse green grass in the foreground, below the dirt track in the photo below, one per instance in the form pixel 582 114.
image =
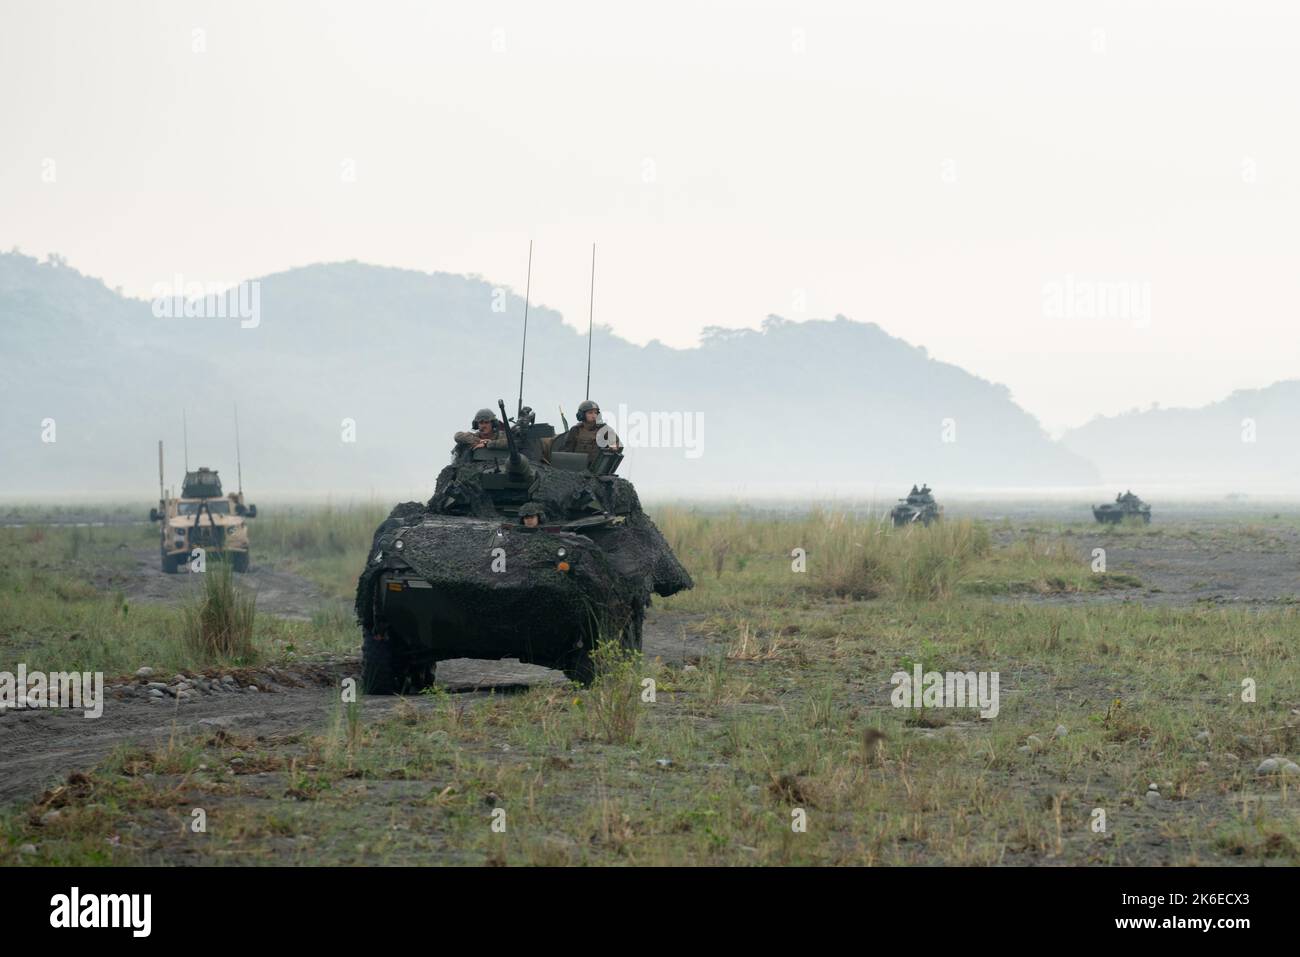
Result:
pixel 713 770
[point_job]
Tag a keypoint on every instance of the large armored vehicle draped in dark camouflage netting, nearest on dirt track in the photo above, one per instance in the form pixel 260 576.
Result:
pixel 462 577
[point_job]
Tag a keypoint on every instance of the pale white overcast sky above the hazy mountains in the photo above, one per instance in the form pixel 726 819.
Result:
pixel 933 168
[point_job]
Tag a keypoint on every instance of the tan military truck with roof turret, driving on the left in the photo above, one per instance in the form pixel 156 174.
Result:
pixel 202 518
